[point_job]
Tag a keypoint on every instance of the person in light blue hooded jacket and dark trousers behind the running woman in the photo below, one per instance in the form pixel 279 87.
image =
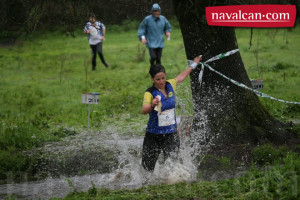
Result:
pixel 151 32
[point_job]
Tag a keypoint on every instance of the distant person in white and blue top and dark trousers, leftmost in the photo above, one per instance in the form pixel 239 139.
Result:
pixel 96 31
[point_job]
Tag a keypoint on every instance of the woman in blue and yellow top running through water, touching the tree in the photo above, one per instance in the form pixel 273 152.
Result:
pixel 159 102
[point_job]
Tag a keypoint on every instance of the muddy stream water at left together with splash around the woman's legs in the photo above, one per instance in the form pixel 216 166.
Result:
pixel 129 173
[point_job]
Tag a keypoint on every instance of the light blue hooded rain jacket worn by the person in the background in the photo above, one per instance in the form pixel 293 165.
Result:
pixel 154 29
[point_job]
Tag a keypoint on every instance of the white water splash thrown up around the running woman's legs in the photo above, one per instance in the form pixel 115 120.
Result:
pixel 193 147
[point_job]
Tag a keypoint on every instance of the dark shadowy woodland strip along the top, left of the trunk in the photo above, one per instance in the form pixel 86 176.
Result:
pixel 26 16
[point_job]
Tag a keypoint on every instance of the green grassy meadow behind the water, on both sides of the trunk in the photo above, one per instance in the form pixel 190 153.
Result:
pixel 42 79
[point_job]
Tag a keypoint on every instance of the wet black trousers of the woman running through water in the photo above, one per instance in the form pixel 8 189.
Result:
pixel 154 144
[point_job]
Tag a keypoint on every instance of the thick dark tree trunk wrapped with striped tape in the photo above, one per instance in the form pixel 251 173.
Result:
pixel 231 115
